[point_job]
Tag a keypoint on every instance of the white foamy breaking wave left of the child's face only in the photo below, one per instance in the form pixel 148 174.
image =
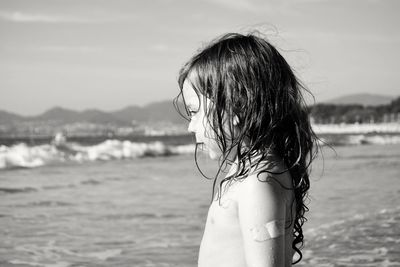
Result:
pixel 24 156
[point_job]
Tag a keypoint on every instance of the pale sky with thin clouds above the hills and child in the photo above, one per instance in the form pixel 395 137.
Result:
pixel 103 54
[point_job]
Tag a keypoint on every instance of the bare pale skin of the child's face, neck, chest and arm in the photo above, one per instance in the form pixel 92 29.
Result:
pixel 247 204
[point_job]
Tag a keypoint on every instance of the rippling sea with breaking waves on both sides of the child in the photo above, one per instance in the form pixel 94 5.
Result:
pixel 144 203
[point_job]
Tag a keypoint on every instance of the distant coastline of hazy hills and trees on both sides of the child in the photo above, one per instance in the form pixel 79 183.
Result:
pixel 160 119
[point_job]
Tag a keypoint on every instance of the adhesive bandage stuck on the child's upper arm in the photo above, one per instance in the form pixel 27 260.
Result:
pixel 269 230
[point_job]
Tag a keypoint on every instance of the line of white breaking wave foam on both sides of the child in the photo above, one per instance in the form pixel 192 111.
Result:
pixel 24 156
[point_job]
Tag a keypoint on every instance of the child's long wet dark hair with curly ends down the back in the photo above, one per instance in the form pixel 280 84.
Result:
pixel 245 76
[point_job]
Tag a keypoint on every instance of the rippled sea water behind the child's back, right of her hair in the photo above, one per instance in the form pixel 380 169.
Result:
pixel 354 217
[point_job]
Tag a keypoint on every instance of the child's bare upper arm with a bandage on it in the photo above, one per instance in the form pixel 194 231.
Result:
pixel 261 209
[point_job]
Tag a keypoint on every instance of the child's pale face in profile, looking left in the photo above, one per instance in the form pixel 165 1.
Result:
pixel 199 124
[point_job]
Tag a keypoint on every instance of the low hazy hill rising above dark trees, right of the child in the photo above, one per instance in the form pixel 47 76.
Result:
pixel 362 99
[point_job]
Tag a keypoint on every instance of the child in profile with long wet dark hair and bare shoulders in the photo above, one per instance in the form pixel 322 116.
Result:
pixel 246 110
